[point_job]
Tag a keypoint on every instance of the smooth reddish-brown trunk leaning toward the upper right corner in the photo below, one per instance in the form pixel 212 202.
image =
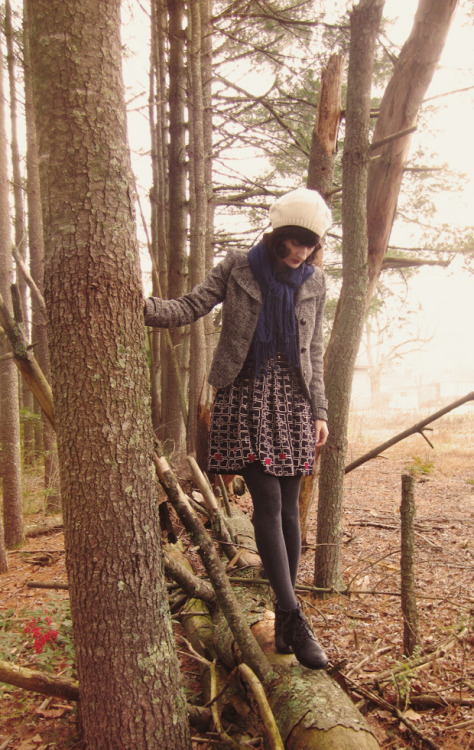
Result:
pixel 399 110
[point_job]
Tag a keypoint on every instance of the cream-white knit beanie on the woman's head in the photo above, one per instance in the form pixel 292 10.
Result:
pixel 301 208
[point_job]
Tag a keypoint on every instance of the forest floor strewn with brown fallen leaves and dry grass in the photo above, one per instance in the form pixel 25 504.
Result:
pixel 364 632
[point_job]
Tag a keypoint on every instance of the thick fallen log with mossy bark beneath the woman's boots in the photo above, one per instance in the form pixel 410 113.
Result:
pixel 311 711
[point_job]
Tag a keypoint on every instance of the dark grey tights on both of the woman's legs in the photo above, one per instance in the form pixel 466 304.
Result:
pixel 277 529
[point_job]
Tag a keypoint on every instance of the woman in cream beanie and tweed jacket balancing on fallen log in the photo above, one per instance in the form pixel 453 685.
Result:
pixel 269 410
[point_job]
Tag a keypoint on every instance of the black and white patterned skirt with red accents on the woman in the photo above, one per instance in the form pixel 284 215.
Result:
pixel 267 419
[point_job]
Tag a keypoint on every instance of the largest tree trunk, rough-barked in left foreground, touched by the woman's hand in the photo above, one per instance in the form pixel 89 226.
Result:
pixel 128 670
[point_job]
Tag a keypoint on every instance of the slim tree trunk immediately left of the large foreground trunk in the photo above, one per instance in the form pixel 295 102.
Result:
pixel 36 247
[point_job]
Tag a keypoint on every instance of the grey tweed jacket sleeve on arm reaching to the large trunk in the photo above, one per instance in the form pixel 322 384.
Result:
pixel 171 313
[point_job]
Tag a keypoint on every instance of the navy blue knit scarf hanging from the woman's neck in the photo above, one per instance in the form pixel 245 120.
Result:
pixel 276 327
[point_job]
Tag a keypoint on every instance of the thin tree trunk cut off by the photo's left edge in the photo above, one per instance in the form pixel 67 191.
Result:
pixel 9 412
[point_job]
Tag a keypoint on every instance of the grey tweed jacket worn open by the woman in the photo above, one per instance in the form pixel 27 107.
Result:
pixel 232 282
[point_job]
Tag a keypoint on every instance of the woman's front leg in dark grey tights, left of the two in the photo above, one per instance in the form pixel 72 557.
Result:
pixel 265 490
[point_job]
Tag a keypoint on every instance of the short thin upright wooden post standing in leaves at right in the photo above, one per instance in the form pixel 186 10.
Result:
pixel 407 565
